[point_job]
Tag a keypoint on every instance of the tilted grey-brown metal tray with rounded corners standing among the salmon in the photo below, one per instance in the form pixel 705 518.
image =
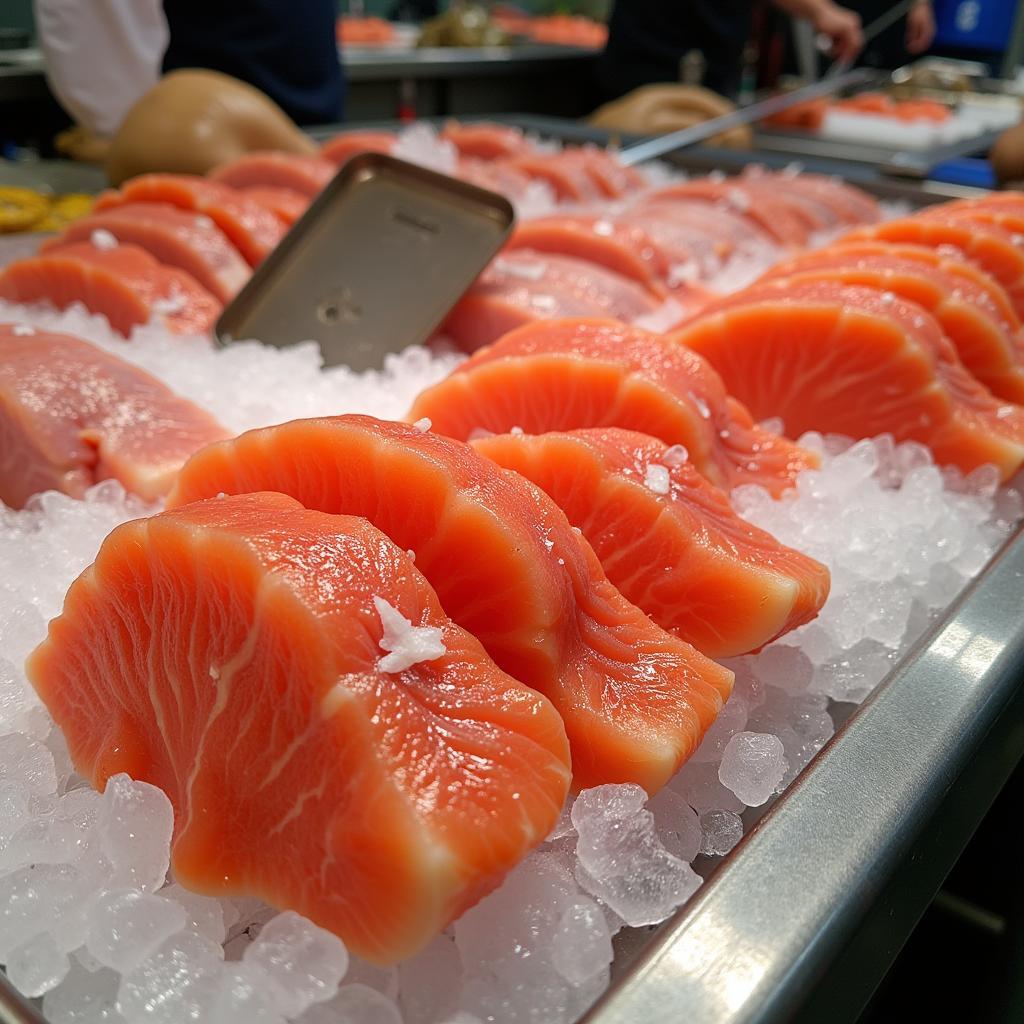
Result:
pixel 380 225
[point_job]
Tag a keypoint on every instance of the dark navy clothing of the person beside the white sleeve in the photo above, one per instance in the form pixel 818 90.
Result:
pixel 287 51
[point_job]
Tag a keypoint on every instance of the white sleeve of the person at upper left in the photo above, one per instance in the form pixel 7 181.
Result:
pixel 102 56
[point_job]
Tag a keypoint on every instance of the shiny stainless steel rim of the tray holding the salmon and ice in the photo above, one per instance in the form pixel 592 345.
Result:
pixel 804 918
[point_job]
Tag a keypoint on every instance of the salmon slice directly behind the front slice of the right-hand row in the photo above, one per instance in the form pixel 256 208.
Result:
pixel 989 345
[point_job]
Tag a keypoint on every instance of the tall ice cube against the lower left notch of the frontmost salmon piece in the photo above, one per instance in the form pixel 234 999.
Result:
pixel 136 825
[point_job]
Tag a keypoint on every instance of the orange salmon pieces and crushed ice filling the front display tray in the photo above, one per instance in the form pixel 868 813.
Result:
pixel 356 666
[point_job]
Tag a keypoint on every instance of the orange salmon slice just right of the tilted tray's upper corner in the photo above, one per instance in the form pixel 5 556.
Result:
pixel 624 248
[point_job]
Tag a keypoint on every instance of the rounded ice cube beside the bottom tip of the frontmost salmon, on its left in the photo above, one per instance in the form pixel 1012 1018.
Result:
pixel 304 963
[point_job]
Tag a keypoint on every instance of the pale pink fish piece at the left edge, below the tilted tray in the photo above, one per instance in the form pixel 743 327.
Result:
pixel 72 415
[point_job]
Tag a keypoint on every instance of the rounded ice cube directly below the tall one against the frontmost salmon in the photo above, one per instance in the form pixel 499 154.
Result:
pixel 126 926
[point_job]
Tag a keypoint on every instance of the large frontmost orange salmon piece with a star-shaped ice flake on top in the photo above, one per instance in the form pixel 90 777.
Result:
pixel 230 653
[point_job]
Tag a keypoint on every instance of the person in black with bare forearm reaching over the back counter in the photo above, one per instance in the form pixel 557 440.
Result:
pixel 649 38
